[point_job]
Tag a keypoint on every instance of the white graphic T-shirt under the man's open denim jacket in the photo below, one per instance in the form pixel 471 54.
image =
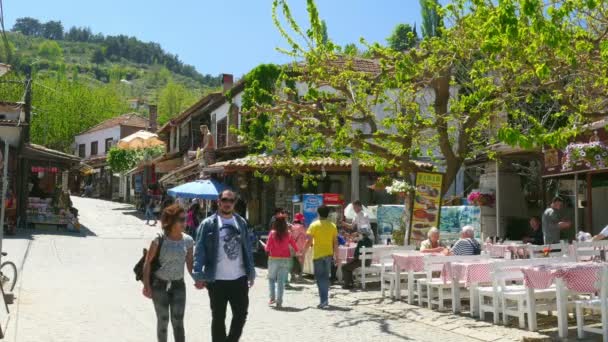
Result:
pixel 230 264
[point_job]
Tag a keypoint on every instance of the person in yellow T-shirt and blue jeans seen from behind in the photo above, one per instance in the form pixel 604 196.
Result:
pixel 323 235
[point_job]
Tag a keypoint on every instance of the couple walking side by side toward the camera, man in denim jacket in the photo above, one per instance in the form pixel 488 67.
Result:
pixel 221 261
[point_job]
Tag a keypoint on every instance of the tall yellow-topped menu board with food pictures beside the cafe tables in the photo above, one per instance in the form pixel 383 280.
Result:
pixel 427 202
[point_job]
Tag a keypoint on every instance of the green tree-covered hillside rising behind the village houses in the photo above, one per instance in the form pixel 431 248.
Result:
pixel 81 78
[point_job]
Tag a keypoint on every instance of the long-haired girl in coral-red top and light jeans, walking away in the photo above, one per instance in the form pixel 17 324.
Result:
pixel 279 257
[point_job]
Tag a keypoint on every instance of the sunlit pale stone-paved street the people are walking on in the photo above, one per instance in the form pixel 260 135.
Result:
pixel 80 287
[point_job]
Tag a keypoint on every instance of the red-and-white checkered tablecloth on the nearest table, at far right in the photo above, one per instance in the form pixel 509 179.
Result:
pixel 580 277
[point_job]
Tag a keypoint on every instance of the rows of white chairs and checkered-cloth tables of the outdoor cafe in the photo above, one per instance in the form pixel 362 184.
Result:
pixel 509 280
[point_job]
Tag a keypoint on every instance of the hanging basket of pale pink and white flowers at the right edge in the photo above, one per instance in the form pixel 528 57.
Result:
pixel 591 155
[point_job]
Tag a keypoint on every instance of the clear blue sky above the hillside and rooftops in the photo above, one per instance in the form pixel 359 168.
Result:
pixel 221 36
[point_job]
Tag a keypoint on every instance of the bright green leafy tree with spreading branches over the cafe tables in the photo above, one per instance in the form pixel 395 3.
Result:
pixel 526 73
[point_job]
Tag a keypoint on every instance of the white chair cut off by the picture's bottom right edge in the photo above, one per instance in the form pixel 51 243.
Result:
pixel 595 304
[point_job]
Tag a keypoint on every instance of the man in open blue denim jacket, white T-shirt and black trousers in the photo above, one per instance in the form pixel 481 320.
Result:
pixel 223 263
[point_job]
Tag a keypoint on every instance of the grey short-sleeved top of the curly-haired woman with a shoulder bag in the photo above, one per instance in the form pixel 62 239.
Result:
pixel 172 257
